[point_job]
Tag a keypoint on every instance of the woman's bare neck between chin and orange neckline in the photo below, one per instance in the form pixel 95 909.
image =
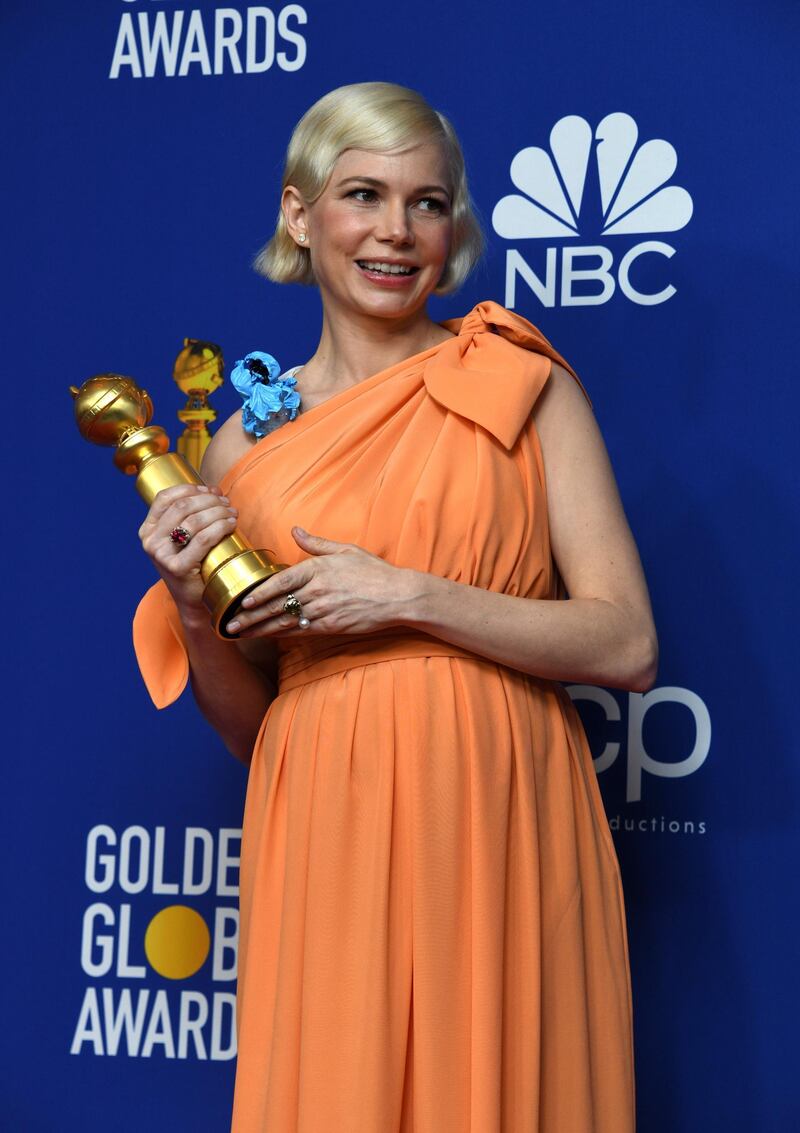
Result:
pixel 354 347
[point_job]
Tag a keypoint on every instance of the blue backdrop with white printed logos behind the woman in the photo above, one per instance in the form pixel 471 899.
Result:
pixel 652 234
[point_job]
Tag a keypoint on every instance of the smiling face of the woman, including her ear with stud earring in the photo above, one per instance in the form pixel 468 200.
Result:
pixel 380 234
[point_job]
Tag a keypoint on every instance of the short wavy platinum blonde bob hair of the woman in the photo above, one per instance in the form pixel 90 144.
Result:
pixel 380 117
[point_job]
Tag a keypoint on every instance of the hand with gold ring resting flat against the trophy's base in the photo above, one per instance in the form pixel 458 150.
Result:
pixel 343 590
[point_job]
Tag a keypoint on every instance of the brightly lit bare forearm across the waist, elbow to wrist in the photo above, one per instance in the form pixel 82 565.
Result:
pixel 588 641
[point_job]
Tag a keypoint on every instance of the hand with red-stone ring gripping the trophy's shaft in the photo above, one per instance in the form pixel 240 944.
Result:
pixel 207 516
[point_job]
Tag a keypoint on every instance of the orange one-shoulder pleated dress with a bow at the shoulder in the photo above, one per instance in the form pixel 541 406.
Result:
pixel 433 932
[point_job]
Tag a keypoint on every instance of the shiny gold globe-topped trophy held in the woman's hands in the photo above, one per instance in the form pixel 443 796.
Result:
pixel 112 411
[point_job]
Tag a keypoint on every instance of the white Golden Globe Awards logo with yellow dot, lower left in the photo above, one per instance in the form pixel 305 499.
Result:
pixel 142 956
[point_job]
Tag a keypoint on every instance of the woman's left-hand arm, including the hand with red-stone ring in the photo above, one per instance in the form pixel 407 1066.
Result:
pixel 234 685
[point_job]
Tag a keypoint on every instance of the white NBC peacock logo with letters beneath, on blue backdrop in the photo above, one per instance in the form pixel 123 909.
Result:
pixel 566 195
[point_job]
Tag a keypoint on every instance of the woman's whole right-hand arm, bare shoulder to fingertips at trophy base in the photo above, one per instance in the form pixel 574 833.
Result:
pixel 602 635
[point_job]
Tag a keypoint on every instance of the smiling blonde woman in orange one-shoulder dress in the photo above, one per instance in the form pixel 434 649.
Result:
pixel 433 932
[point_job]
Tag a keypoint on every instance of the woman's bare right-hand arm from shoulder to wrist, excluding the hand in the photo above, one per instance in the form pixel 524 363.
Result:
pixel 603 634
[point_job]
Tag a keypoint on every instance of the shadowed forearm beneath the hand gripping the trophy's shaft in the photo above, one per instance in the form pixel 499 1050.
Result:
pixel 232 694
